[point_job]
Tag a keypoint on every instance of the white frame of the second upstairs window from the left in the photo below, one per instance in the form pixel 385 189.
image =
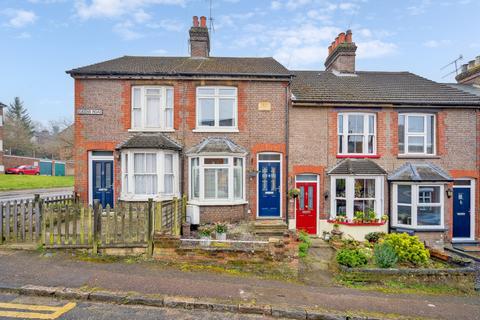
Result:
pixel 216 96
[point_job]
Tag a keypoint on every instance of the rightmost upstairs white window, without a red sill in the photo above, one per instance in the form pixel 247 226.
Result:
pixel 416 134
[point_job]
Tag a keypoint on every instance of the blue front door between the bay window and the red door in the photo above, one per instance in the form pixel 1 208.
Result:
pixel 269 189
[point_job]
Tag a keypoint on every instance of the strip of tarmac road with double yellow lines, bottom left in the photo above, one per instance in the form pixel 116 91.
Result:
pixel 14 307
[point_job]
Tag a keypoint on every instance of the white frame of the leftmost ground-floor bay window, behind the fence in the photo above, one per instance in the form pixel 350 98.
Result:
pixel 128 173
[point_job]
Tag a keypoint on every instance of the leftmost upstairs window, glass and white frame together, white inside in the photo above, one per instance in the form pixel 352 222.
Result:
pixel 152 108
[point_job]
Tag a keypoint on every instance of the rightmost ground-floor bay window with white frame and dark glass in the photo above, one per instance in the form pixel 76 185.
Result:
pixel 419 206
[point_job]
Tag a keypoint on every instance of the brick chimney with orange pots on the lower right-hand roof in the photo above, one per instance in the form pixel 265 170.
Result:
pixel 341 54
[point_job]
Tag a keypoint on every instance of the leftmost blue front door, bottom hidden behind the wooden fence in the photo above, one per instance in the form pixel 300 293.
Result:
pixel 103 181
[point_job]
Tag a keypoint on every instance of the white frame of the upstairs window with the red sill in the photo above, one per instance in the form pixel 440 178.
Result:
pixel 343 134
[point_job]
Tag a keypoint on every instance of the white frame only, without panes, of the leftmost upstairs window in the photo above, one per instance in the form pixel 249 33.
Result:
pixel 163 109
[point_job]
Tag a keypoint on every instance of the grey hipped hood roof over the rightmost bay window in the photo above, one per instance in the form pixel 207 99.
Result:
pixel 419 172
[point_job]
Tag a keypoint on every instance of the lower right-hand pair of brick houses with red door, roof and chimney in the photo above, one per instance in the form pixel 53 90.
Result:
pixel 372 143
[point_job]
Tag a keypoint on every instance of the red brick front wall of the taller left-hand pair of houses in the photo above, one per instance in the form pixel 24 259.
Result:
pixel 259 131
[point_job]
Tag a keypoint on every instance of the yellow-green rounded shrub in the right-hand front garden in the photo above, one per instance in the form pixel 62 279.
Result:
pixel 408 248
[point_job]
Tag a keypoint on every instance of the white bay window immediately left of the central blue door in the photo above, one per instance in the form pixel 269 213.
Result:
pixel 217 179
